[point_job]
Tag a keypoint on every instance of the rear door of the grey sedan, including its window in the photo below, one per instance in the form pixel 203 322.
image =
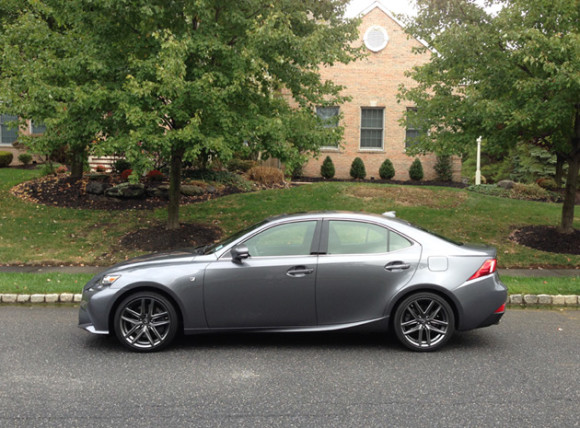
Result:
pixel 363 266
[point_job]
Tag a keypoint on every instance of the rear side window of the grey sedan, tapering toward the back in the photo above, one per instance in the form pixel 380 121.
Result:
pixel 351 237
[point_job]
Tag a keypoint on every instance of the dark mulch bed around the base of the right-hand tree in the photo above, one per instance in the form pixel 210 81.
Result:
pixel 547 238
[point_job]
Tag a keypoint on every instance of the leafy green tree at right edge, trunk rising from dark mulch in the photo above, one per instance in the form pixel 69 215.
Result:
pixel 512 77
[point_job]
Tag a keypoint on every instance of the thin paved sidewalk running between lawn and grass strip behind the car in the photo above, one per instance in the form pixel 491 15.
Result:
pixel 530 273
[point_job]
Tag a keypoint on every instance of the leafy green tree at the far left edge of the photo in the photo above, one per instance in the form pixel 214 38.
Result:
pixel 50 74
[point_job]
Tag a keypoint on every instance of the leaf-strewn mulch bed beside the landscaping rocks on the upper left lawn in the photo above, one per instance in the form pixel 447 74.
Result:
pixel 62 191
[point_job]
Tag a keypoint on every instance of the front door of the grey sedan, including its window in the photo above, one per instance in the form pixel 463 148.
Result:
pixel 273 287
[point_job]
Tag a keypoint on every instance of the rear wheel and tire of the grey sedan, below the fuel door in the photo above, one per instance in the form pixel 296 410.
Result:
pixel 424 322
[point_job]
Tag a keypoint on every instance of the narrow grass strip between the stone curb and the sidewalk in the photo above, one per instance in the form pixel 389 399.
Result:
pixel 47 283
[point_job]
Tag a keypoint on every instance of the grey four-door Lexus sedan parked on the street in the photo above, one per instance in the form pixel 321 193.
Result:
pixel 302 272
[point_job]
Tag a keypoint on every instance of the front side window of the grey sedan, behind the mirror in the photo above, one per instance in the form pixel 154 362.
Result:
pixel 292 239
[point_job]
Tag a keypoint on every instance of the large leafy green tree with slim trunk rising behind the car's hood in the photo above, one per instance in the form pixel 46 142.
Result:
pixel 211 76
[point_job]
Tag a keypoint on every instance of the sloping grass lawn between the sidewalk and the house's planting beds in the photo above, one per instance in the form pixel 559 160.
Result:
pixel 38 234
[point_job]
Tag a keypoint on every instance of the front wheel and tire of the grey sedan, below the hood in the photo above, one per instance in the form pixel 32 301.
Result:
pixel 146 322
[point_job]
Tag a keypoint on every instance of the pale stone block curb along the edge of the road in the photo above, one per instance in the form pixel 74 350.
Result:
pixel 513 299
